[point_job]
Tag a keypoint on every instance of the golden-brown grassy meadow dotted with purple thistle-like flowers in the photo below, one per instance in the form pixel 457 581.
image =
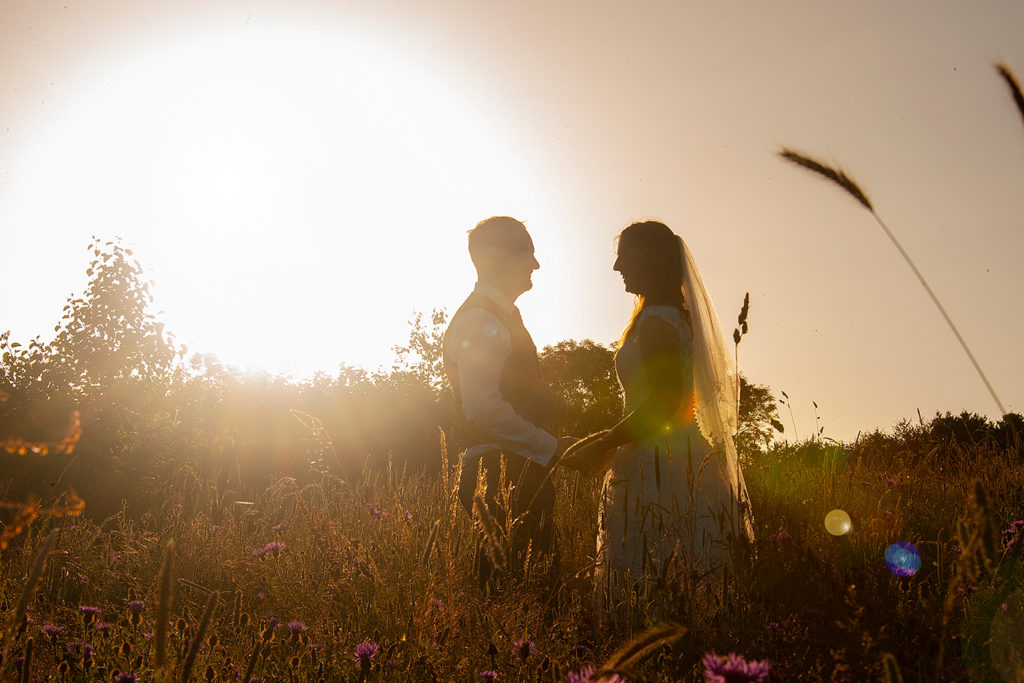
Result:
pixel 288 582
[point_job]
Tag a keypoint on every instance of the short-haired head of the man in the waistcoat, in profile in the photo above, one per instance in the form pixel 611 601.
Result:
pixel 503 253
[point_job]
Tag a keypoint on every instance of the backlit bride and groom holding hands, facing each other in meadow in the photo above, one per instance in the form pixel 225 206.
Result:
pixel 672 484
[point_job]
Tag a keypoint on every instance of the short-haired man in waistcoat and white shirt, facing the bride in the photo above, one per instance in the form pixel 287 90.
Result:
pixel 506 409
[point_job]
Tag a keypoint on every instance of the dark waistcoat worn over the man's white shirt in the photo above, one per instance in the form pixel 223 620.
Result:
pixel 521 382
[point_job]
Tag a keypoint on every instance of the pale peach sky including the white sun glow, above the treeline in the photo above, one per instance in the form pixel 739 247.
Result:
pixel 297 178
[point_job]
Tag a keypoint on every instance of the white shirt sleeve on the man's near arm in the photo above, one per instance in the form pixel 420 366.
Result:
pixel 481 346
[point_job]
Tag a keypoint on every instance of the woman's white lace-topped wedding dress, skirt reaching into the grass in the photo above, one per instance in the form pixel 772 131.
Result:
pixel 669 493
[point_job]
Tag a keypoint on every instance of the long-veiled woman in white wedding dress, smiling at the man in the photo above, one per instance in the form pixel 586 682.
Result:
pixel 672 483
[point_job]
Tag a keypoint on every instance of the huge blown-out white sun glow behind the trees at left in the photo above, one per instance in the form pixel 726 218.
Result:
pixel 293 193
